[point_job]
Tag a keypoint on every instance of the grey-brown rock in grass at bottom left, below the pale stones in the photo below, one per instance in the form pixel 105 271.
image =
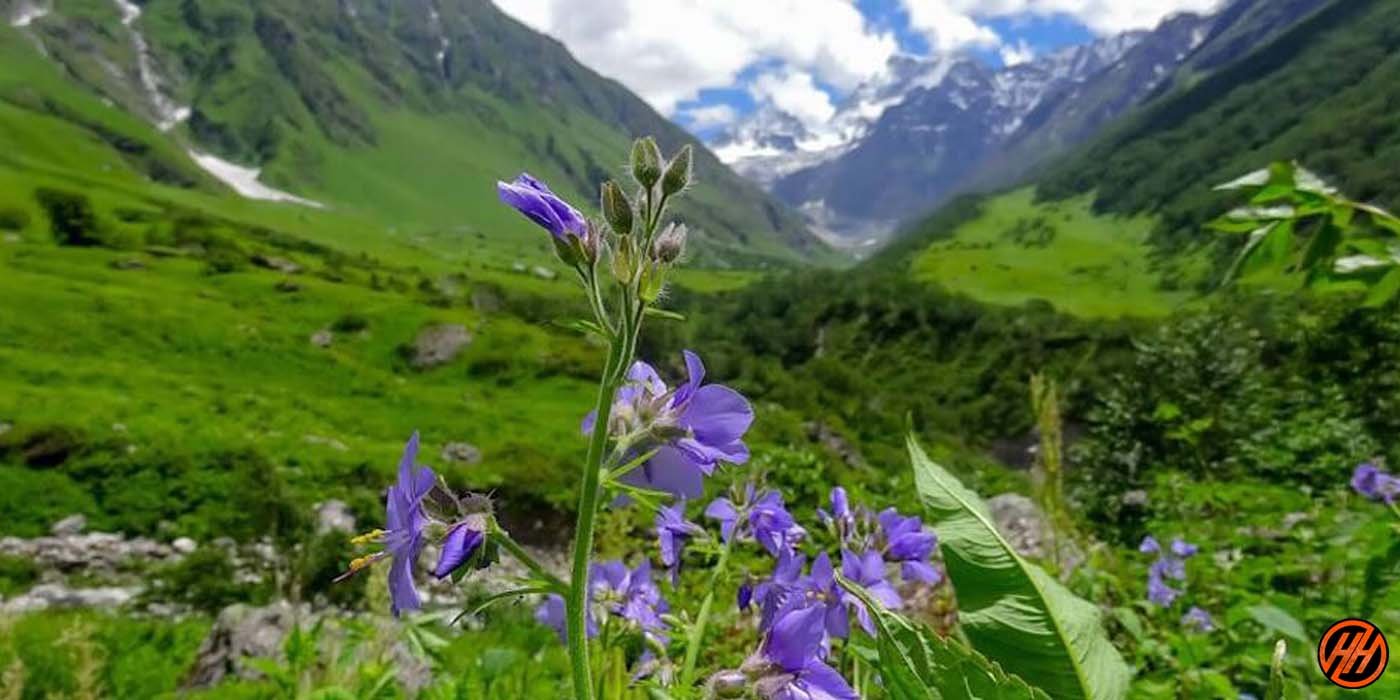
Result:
pixel 243 632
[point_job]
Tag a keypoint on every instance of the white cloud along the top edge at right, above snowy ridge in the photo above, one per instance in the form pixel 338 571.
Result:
pixel 953 24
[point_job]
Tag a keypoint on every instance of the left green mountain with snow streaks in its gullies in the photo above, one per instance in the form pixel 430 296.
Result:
pixel 402 113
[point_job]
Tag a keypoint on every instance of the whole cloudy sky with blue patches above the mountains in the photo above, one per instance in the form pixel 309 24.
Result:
pixel 706 64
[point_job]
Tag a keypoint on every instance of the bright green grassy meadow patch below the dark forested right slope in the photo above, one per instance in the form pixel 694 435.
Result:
pixel 1020 251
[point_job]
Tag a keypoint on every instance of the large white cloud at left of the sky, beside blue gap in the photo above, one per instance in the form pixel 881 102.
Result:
pixel 670 51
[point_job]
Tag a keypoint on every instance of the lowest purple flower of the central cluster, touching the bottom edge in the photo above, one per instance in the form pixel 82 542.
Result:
pixel 794 647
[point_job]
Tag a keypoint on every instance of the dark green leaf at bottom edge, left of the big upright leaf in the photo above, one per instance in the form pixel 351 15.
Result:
pixel 918 664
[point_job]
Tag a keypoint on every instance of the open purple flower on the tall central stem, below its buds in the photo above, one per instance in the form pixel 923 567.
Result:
pixel 696 426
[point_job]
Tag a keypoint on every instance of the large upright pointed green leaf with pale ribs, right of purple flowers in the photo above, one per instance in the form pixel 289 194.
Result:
pixel 1011 611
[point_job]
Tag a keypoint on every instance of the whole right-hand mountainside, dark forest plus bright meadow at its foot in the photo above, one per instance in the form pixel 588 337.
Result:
pixel 1118 225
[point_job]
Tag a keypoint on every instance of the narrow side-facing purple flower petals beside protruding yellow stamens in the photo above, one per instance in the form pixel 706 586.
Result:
pixel 404 530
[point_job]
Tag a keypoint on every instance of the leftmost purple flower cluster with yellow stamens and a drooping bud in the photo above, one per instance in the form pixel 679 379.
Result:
pixel 409 526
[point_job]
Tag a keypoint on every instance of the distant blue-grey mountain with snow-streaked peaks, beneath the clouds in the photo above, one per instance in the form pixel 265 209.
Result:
pixel 975 128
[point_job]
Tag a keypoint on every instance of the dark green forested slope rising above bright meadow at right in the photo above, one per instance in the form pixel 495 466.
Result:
pixel 1324 94
